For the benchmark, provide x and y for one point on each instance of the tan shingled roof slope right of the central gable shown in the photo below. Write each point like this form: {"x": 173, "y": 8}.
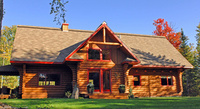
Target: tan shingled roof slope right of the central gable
{"x": 154, "y": 50}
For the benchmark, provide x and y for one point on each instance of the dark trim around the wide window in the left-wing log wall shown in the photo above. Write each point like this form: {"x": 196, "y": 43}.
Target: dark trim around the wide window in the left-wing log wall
{"x": 48, "y": 85}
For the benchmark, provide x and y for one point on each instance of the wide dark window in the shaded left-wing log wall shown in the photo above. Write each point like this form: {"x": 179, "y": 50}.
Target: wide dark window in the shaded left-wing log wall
{"x": 49, "y": 79}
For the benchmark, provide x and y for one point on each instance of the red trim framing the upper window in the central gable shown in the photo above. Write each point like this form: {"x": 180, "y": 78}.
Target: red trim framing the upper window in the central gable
{"x": 101, "y": 55}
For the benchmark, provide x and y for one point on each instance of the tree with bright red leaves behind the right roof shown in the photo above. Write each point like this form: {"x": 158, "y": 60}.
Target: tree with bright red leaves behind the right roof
{"x": 163, "y": 29}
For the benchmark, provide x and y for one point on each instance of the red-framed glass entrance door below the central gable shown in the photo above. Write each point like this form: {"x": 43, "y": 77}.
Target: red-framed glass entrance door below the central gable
{"x": 100, "y": 79}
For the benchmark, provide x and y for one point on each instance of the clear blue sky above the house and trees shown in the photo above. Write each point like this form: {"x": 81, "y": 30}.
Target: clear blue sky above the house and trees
{"x": 124, "y": 16}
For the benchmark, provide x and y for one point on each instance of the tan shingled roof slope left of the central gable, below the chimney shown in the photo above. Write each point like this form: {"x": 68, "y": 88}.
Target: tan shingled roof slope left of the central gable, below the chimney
{"x": 42, "y": 44}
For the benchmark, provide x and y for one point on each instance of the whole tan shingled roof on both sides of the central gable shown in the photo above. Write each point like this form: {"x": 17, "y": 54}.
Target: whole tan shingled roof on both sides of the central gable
{"x": 43, "y": 44}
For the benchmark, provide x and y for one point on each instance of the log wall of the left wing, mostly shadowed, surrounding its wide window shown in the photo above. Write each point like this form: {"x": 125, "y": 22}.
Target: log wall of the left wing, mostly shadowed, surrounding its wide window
{"x": 31, "y": 77}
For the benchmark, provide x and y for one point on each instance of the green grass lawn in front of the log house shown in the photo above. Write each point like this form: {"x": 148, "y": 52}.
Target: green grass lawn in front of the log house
{"x": 139, "y": 103}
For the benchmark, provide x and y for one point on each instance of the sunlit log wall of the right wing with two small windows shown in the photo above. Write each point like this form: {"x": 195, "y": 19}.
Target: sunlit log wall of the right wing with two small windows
{"x": 151, "y": 83}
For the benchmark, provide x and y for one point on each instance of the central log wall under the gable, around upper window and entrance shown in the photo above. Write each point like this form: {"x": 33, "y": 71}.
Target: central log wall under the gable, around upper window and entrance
{"x": 114, "y": 65}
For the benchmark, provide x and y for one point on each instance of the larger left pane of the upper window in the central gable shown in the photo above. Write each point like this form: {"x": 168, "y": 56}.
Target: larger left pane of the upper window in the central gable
{"x": 94, "y": 54}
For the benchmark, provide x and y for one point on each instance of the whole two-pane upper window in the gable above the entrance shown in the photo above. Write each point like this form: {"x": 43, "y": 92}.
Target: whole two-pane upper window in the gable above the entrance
{"x": 98, "y": 54}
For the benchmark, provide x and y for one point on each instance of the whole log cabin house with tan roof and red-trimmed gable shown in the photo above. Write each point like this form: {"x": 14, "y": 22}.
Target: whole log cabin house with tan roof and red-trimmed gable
{"x": 51, "y": 61}
